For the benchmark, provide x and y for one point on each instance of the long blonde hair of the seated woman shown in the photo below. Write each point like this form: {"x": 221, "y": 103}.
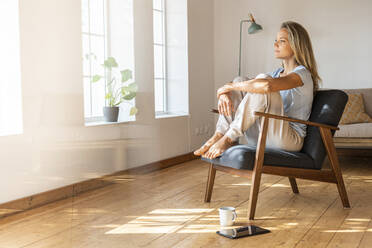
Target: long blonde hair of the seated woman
{"x": 300, "y": 43}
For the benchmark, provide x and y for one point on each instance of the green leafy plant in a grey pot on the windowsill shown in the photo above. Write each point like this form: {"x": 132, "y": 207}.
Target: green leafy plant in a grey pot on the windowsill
{"x": 117, "y": 89}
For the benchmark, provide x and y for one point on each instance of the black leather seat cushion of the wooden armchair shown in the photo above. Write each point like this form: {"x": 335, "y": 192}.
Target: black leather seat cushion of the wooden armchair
{"x": 243, "y": 157}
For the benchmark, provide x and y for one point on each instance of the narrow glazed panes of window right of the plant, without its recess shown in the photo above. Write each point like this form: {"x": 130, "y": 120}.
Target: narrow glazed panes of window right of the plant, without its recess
{"x": 160, "y": 78}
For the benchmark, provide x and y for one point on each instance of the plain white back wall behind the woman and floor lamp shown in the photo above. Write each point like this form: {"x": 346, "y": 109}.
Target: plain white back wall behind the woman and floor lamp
{"x": 340, "y": 32}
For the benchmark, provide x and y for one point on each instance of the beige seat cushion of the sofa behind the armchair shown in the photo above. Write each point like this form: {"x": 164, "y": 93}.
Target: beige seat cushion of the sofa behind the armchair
{"x": 358, "y": 130}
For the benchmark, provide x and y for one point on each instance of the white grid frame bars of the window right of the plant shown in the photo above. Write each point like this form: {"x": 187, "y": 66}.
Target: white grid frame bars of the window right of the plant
{"x": 164, "y": 77}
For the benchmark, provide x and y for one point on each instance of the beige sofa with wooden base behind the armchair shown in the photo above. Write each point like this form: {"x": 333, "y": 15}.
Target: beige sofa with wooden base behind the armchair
{"x": 357, "y": 135}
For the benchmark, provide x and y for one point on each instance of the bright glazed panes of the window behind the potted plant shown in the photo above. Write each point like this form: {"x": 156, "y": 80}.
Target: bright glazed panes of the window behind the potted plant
{"x": 94, "y": 36}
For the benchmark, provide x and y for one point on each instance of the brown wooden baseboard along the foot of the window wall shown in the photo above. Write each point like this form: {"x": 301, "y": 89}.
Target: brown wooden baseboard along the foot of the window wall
{"x": 37, "y": 200}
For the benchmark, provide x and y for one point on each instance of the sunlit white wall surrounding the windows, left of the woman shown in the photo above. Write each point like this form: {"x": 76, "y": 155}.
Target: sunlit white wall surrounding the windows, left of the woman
{"x": 56, "y": 149}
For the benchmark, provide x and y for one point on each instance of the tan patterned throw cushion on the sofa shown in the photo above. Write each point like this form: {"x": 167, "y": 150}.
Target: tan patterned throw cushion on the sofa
{"x": 354, "y": 110}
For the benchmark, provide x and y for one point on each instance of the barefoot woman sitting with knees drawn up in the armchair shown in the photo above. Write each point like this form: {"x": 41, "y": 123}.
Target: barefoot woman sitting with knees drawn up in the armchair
{"x": 286, "y": 91}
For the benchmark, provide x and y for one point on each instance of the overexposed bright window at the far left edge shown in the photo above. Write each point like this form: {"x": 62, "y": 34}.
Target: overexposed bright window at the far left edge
{"x": 10, "y": 69}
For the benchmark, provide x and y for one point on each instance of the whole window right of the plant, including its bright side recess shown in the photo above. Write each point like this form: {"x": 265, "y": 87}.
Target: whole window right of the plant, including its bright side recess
{"x": 170, "y": 58}
